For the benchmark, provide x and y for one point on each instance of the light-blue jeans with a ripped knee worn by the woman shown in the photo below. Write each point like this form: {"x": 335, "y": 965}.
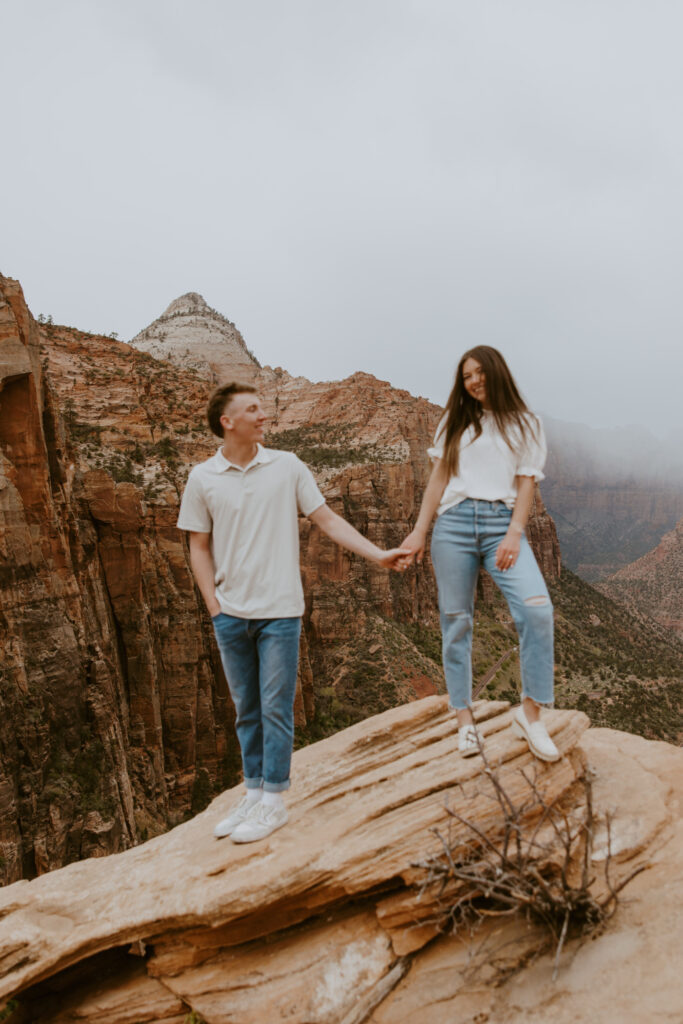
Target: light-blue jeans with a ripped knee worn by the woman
{"x": 465, "y": 537}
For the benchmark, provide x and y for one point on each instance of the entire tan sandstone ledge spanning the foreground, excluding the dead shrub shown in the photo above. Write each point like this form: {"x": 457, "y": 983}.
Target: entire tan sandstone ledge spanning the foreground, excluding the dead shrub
{"x": 317, "y": 924}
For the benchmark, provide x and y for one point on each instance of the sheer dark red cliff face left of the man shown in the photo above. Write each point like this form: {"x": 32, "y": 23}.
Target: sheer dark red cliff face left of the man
{"x": 114, "y": 708}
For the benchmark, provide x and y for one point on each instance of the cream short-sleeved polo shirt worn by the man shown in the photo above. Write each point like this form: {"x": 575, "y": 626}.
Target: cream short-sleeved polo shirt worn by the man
{"x": 251, "y": 515}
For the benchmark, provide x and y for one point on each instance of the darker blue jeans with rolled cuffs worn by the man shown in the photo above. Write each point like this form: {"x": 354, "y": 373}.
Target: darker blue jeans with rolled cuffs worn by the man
{"x": 261, "y": 659}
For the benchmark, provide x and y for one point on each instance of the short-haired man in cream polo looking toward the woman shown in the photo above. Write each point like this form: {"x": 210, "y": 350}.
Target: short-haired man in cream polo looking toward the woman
{"x": 241, "y": 509}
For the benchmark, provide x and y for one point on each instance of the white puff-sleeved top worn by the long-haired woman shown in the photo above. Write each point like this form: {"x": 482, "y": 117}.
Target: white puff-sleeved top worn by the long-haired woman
{"x": 488, "y": 467}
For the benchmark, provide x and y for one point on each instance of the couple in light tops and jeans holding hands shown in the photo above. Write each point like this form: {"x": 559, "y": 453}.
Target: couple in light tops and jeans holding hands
{"x": 241, "y": 509}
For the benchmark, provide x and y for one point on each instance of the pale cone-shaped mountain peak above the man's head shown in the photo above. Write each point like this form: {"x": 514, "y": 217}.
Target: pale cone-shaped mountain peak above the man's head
{"x": 190, "y": 333}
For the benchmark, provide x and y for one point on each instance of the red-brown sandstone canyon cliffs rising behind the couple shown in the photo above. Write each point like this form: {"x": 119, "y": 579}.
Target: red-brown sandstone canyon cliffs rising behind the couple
{"x": 116, "y": 718}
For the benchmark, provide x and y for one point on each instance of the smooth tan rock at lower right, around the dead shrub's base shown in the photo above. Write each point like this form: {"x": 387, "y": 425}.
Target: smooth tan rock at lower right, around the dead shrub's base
{"x": 627, "y": 972}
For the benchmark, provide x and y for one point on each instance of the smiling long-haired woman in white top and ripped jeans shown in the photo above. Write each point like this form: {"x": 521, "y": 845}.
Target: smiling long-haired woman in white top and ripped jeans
{"x": 489, "y": 452}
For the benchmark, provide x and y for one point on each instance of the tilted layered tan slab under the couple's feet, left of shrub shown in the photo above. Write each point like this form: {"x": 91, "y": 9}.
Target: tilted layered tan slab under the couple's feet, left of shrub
{"x": 362, "y": 808}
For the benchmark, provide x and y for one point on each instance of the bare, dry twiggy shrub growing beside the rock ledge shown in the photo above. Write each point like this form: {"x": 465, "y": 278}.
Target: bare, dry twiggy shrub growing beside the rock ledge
{"x": 538, "y": 864}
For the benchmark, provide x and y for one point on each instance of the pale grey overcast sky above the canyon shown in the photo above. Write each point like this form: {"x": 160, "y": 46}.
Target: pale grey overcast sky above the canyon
{"x": 363, "y": 185}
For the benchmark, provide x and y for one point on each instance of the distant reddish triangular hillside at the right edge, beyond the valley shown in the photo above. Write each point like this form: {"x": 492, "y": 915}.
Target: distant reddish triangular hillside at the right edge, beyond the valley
{"x": 653, "y": 584}
